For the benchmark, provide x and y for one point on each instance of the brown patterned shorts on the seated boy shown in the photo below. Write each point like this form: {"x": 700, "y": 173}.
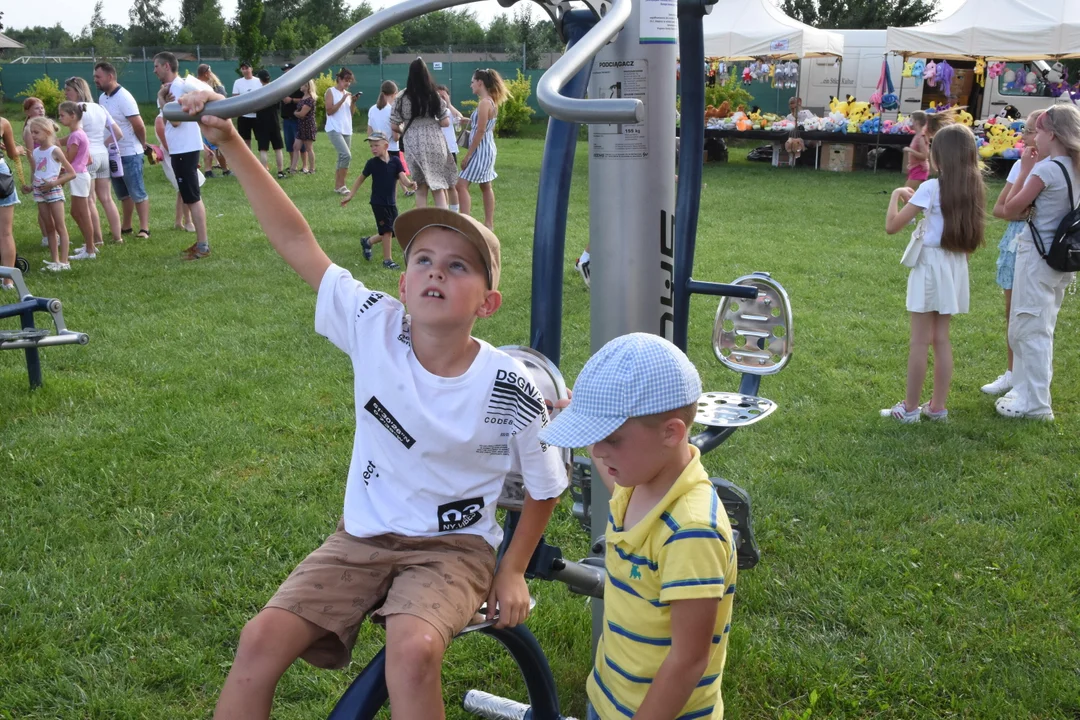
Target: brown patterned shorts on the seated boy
{"x": 442, "y": 580}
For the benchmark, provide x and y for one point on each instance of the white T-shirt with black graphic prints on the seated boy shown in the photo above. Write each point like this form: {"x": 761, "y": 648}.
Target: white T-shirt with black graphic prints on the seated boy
{"x": 430, "y": 454}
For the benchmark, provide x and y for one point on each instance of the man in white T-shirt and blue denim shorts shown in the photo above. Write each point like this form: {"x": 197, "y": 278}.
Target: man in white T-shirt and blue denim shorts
{"x": 132, "y": 146}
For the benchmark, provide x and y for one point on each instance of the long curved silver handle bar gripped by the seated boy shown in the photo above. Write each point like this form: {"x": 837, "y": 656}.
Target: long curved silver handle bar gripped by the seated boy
{"x": 234, "y": 107}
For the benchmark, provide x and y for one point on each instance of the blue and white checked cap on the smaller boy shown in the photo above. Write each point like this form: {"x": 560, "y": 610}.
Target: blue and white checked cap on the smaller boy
{"x": 632, "y": 376}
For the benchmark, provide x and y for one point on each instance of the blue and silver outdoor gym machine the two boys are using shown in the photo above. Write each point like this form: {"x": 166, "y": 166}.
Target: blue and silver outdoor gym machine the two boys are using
{"x": 643, "y": 259}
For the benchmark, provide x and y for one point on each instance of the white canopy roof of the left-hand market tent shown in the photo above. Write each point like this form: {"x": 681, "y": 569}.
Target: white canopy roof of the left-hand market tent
{"x": 749, "y": 30}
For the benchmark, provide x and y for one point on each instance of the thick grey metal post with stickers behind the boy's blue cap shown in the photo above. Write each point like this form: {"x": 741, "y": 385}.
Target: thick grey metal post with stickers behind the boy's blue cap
{"x": 632, "y": 197}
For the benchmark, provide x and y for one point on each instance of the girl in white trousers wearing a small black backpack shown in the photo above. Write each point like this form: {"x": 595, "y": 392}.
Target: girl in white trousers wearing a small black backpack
{"x": 1049, "y": 188}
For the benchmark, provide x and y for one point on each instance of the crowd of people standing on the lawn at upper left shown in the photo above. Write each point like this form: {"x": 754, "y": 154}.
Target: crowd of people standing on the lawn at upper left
{"x": 106, "y": 147}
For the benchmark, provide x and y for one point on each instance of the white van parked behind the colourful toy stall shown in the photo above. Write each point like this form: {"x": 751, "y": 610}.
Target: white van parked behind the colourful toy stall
{"x": 858, "y": 75}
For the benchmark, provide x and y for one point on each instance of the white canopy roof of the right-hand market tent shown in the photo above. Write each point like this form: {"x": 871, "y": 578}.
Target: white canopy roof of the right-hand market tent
{"x": 997, "y": 31}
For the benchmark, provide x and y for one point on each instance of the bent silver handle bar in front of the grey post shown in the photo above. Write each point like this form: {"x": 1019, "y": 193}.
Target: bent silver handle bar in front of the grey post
{"x": 559, "y": 106}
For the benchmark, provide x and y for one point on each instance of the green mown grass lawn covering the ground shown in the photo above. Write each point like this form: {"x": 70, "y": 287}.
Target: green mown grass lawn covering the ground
{"x": 171, "y": 473}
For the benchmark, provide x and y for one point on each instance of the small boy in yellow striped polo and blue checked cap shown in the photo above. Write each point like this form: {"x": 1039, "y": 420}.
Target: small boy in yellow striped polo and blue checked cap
{"x": 670, "y": 560}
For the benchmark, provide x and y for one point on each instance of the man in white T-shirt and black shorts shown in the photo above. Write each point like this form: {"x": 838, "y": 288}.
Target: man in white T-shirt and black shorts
{"x": 185, "y": 148}
